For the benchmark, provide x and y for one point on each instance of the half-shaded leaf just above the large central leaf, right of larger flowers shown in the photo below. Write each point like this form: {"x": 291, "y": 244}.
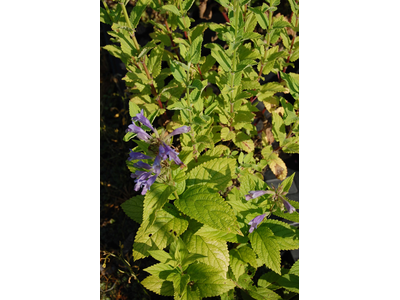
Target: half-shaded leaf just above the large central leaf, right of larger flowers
{"x": 216, "y": 174}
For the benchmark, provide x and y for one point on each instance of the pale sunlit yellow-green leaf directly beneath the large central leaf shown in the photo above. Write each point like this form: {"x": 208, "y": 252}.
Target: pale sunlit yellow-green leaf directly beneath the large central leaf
{"x": 215, "y": 251}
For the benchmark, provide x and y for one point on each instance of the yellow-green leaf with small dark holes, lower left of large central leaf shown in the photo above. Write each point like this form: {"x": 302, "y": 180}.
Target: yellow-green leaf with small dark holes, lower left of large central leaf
{"x": 166, "y": 227}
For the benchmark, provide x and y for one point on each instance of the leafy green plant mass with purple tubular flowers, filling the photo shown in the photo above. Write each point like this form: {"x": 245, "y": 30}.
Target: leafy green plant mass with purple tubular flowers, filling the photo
{"x": 202, "y": 145}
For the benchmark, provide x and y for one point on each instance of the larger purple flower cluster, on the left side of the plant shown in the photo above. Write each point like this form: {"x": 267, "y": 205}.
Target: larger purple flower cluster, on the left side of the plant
{"x": 162, "y": 151}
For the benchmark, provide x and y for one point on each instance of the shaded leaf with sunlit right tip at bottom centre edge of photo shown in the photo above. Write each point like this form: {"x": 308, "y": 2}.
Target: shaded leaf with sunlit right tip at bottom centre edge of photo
{"x": 208, "y": 280}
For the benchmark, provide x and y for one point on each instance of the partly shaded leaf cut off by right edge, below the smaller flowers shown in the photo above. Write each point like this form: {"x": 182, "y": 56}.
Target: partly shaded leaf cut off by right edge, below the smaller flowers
{"x": 286, "y": 237}
